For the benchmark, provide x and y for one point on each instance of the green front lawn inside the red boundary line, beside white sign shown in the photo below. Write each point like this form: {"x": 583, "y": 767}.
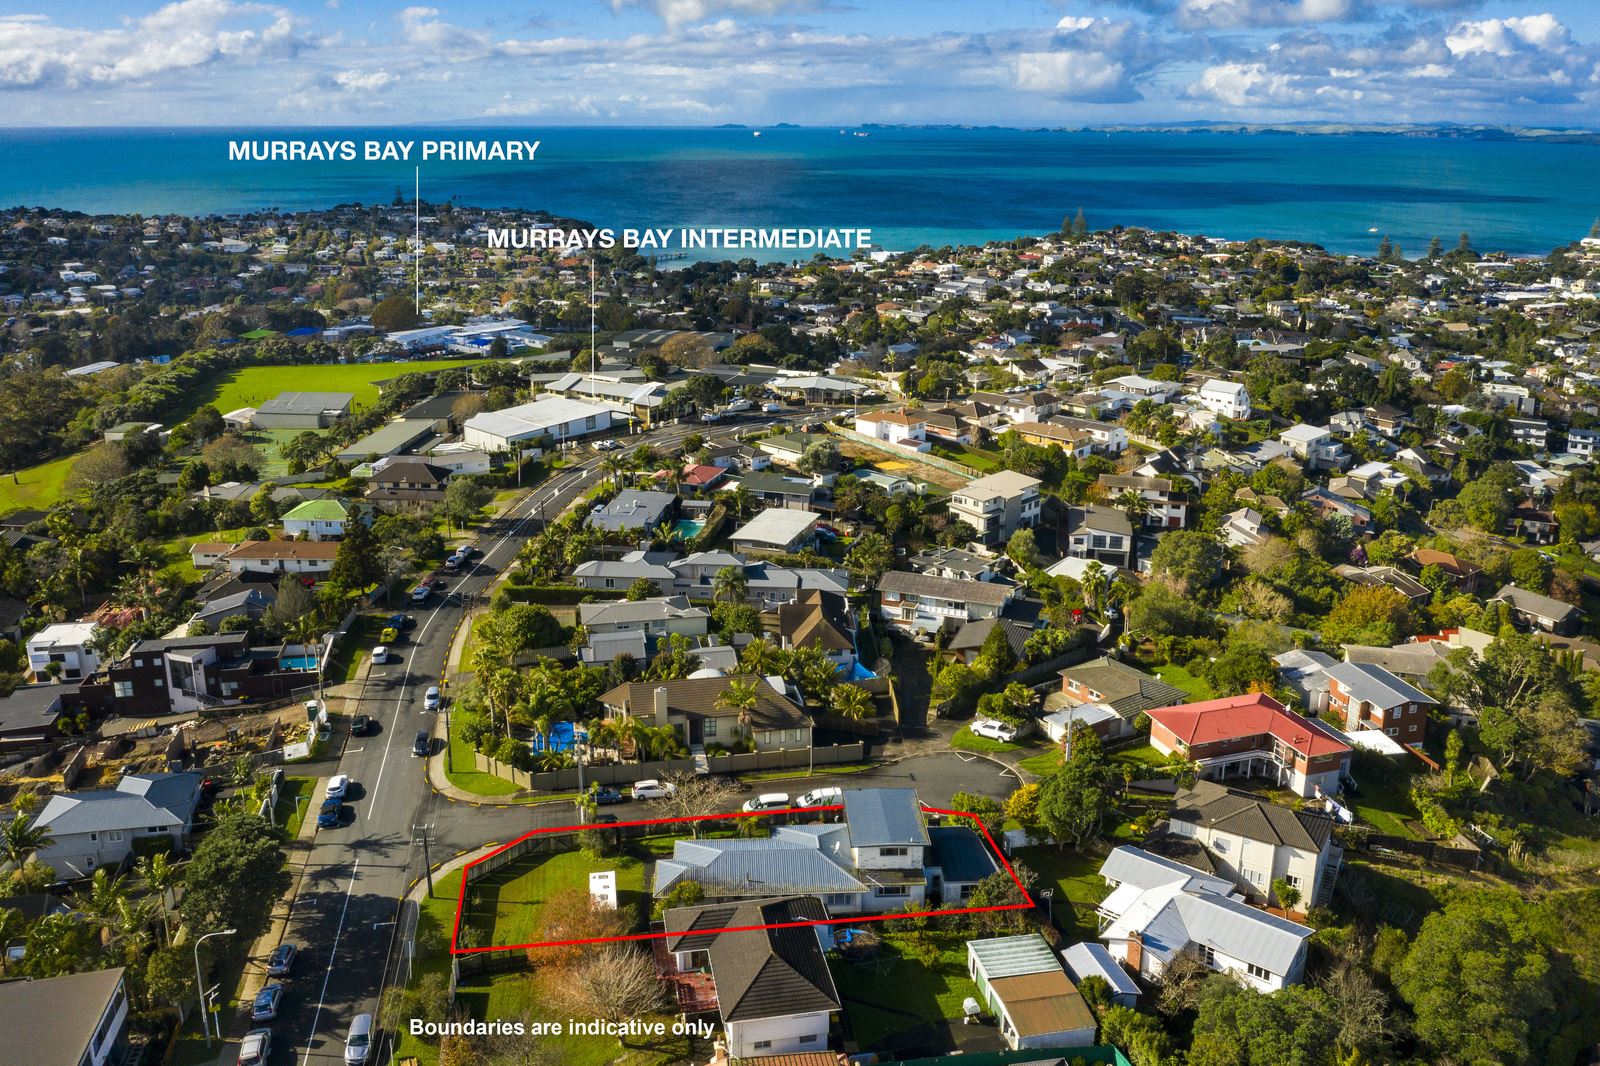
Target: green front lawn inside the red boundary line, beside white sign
{"x": 506, "y": 905}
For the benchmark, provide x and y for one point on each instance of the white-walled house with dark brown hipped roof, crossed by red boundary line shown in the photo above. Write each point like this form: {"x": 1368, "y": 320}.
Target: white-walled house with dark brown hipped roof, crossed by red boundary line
{"x": 767, "y": 961}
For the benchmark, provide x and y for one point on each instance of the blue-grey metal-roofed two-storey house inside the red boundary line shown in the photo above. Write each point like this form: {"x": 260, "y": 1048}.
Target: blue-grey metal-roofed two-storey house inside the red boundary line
{"x": 882, "y": 857}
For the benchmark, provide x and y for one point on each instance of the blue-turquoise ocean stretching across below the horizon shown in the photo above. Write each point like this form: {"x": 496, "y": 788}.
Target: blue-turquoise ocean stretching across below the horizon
{"x": 910, "y": 186}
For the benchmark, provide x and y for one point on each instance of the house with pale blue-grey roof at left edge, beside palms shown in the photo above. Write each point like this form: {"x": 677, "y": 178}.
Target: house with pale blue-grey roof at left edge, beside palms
{"x": 102, "y": 828}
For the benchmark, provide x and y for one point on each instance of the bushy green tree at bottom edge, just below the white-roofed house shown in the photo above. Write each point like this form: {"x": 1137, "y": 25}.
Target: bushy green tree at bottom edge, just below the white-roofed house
{"x": 1239, "y": 1027}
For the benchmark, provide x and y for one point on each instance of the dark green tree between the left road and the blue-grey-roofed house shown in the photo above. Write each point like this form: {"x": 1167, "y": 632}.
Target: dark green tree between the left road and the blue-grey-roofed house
{"x": 236, "y": 876}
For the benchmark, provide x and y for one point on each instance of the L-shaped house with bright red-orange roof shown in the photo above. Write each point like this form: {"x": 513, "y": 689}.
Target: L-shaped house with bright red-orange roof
{"x": 1254, "y": 735}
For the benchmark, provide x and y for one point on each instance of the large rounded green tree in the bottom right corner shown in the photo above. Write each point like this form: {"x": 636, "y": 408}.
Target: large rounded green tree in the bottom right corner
{"x": 1482, "y": 982}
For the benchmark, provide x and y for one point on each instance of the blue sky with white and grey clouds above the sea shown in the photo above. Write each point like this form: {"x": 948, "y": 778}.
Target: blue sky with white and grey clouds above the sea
{"x": 1020, "y": 63}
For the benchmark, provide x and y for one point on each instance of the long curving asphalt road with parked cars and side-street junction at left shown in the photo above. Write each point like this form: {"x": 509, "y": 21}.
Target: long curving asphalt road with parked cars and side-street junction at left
{"x": 346, "y": 915}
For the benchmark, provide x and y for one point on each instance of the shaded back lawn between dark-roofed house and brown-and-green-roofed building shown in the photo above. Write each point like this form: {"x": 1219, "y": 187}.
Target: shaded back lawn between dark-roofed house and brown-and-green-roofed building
{"x": 895, "y": 992}
